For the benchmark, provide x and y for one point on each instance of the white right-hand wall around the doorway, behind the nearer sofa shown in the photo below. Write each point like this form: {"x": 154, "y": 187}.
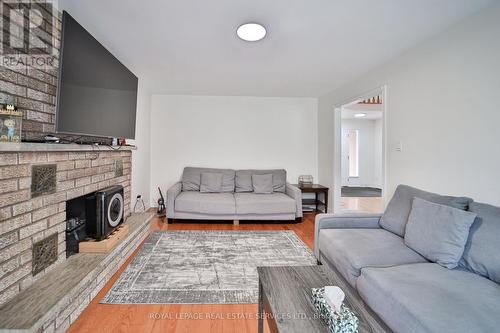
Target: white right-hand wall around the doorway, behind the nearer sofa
{"x": 442, "y": 105}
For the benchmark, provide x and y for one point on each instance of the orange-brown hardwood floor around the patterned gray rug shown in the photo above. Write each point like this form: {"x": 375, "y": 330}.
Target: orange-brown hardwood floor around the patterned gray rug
{"x": 192, "y": 318}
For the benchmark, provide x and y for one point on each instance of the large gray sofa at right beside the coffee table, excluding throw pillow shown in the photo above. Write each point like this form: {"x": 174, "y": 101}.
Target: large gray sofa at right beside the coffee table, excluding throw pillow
{"x": 407, "y": 291}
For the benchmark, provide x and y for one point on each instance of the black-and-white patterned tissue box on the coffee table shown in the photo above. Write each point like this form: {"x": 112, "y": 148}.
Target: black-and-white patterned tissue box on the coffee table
{"x": 343, "y": 322}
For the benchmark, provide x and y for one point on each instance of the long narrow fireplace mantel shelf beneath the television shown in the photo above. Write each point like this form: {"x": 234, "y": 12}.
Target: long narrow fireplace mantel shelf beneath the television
{"x": 49, "y": 147}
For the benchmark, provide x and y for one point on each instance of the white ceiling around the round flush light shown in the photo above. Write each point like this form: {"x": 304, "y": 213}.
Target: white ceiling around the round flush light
{"x": 312, "y": 47}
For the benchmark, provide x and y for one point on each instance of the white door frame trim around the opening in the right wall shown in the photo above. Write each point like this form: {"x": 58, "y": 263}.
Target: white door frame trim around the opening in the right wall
{"x": 337, "y": 145}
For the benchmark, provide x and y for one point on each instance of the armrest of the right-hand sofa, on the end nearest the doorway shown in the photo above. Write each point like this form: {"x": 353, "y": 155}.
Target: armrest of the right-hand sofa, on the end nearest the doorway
{"x": 343, "y": 221}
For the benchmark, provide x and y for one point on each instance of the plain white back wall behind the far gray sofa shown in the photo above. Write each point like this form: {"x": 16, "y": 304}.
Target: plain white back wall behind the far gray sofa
{"x": 232, "y": 132}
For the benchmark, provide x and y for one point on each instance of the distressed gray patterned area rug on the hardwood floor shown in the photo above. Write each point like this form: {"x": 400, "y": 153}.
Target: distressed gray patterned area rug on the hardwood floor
{"x": 205, "y": 267}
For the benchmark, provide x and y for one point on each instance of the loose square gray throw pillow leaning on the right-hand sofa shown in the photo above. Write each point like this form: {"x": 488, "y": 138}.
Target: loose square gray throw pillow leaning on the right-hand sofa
{"x": 438, "y": 232}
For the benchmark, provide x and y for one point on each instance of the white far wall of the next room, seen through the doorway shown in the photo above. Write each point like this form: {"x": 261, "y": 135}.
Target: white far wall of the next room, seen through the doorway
{"x": 370, "y": 165}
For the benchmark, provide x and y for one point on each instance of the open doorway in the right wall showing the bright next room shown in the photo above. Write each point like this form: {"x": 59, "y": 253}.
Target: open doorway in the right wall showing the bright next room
{"x": 360, "y": 154}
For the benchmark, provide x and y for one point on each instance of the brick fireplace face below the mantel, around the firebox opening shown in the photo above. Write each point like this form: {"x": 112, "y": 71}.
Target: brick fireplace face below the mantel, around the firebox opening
{"x": 25, "y": 219}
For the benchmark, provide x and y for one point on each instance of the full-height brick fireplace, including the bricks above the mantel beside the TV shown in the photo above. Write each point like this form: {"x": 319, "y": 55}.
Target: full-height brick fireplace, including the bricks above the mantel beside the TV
{"x": 36, "y": 180}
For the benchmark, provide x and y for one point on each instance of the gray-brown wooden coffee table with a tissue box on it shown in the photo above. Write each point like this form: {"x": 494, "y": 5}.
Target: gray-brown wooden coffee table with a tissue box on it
{"x": 285, "y": 300}
